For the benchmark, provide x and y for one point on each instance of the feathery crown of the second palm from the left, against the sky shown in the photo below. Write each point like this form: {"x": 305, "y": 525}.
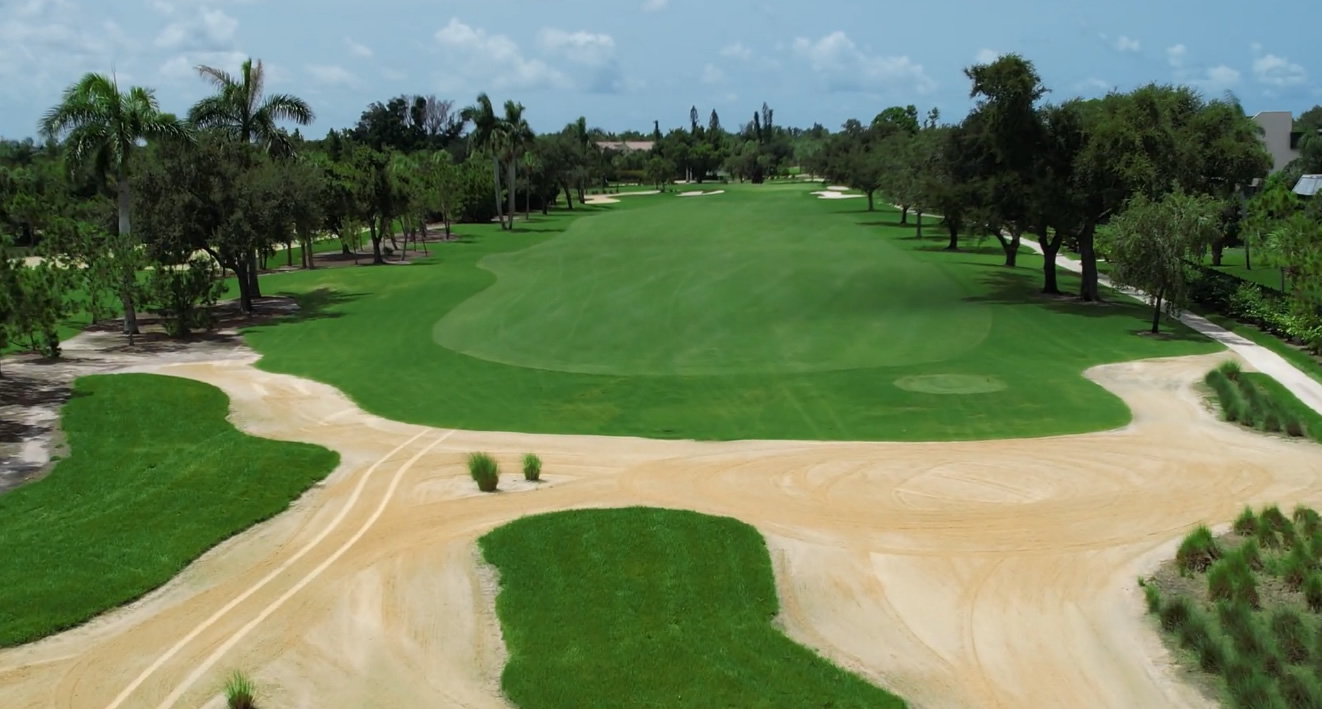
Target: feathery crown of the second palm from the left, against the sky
{"x": 241, "y": 108}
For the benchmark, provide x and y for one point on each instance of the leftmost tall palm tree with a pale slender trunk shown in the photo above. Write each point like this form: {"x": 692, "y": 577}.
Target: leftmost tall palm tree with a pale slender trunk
{"x": 101, "y": 126}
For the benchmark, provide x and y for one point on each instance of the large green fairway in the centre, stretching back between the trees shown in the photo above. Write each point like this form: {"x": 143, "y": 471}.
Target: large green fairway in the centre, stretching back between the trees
{"x": 762, "y": 313}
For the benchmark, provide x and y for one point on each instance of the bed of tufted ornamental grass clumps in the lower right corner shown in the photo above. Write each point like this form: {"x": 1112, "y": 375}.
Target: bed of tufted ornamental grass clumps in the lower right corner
{"x": 1242, "y": 612}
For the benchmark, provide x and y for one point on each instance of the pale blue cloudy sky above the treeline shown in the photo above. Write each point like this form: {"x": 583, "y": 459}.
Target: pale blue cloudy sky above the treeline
{"x": 626, "y": 63}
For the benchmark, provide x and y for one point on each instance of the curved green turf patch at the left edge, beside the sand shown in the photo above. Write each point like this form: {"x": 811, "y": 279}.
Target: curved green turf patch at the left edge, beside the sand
{"x": 157, "y": 477}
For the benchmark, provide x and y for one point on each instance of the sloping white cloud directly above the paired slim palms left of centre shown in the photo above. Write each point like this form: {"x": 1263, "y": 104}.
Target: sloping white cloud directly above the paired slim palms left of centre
{"x": 475, "y": 59}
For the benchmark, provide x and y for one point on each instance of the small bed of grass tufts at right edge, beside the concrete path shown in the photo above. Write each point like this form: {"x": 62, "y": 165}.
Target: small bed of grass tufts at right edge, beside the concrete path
{"x": 1262, "y": 403}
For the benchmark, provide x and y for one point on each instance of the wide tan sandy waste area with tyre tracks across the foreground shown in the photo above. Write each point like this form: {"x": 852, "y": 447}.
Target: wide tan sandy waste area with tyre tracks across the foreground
{"x": 959, "y": 575}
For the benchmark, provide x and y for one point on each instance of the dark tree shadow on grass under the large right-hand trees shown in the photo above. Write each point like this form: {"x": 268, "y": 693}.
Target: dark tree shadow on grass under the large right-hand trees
{"x": 1023, "y": 288}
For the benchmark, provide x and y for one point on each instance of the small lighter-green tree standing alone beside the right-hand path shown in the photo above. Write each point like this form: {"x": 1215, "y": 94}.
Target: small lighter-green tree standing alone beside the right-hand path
{"x": 1152, "y": 243}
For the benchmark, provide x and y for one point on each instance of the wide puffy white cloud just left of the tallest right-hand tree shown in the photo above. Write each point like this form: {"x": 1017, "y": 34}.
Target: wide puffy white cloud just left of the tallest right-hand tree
{"x": 847, "y": 68}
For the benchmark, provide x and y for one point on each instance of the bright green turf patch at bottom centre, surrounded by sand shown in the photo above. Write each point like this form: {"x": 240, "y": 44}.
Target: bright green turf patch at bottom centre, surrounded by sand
{"x": 651, "y": 608}
